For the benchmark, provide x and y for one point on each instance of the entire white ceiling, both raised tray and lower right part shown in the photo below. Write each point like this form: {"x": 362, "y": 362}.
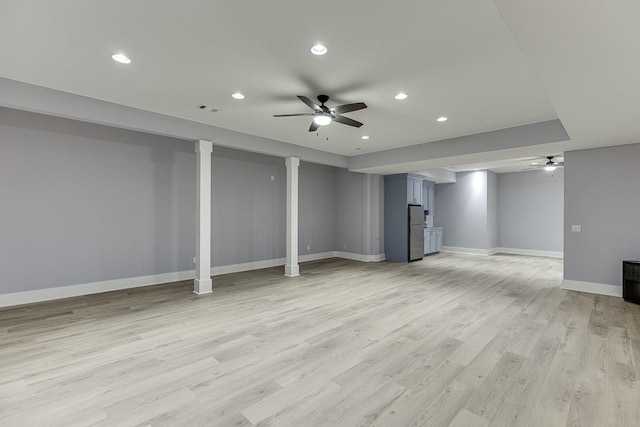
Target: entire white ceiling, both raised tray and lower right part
{"x": 485, "y": 64}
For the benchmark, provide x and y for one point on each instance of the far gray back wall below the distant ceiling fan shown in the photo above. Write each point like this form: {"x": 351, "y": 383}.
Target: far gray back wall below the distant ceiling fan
{"x": 530, "y": 210}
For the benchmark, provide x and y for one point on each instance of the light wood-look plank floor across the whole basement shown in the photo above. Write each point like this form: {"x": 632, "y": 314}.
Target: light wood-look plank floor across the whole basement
{"x": 453, "y": 340}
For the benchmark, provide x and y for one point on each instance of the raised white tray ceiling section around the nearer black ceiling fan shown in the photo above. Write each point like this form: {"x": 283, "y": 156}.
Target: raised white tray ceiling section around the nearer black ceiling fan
{"x": 454, "y": 58}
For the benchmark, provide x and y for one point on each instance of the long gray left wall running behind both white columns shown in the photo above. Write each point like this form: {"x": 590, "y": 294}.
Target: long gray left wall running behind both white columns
{"x": 87, "y": 203}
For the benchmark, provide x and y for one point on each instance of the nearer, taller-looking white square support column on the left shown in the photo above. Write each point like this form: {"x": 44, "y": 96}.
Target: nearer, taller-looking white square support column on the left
{"x": 202, "y": 284}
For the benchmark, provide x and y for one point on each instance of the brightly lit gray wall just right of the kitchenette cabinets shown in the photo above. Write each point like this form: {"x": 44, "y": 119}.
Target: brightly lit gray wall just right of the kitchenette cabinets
{"x": 461, "y": 208}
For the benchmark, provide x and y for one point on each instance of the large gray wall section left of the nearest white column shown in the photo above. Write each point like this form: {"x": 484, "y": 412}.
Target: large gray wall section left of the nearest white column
{"x": 85, "y": 203}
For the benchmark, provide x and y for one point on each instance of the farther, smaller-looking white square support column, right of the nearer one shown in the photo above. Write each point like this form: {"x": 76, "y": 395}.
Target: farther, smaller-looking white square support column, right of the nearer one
{"x": 291, "y": 268}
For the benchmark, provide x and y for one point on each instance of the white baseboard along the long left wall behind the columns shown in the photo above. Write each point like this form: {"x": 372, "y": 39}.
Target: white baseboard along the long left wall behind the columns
{"x": 39, "y": 295}
